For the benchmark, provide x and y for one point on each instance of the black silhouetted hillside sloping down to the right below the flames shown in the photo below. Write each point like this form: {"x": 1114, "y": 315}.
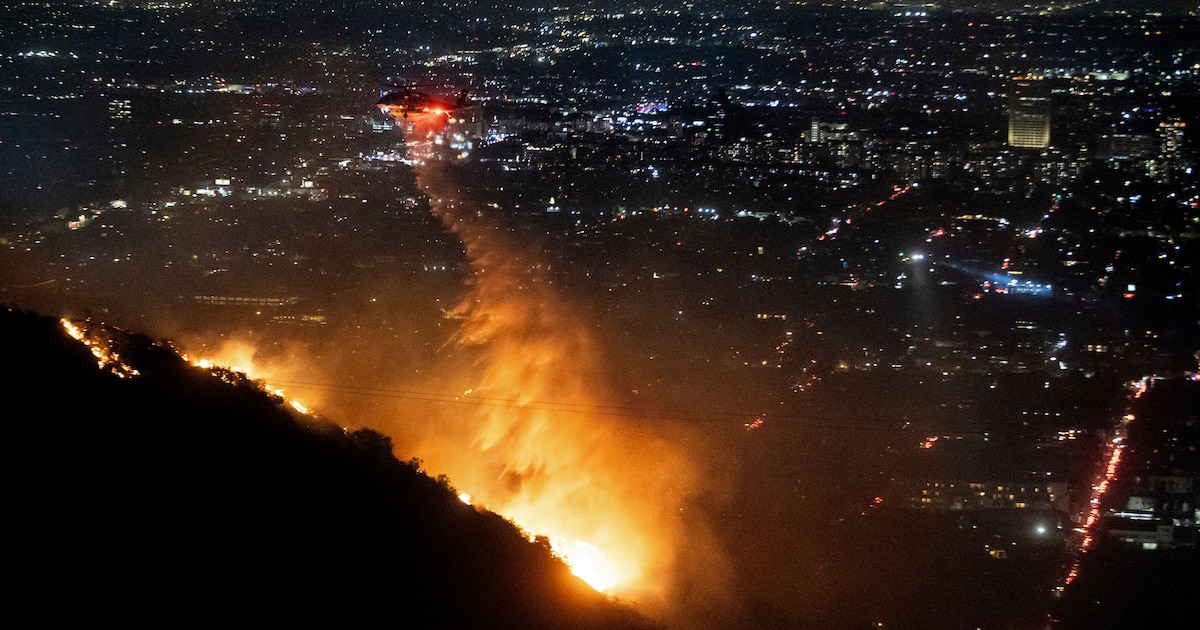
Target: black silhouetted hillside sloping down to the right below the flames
{"x": 178, "y": 497}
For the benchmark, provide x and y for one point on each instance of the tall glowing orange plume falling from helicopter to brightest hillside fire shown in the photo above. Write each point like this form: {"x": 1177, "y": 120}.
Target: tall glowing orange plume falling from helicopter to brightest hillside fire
{"x": 608, "y": 493}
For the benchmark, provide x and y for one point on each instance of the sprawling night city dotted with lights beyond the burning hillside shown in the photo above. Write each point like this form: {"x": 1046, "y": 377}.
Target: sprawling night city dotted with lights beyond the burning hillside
{"x": 898, "y": 280}
